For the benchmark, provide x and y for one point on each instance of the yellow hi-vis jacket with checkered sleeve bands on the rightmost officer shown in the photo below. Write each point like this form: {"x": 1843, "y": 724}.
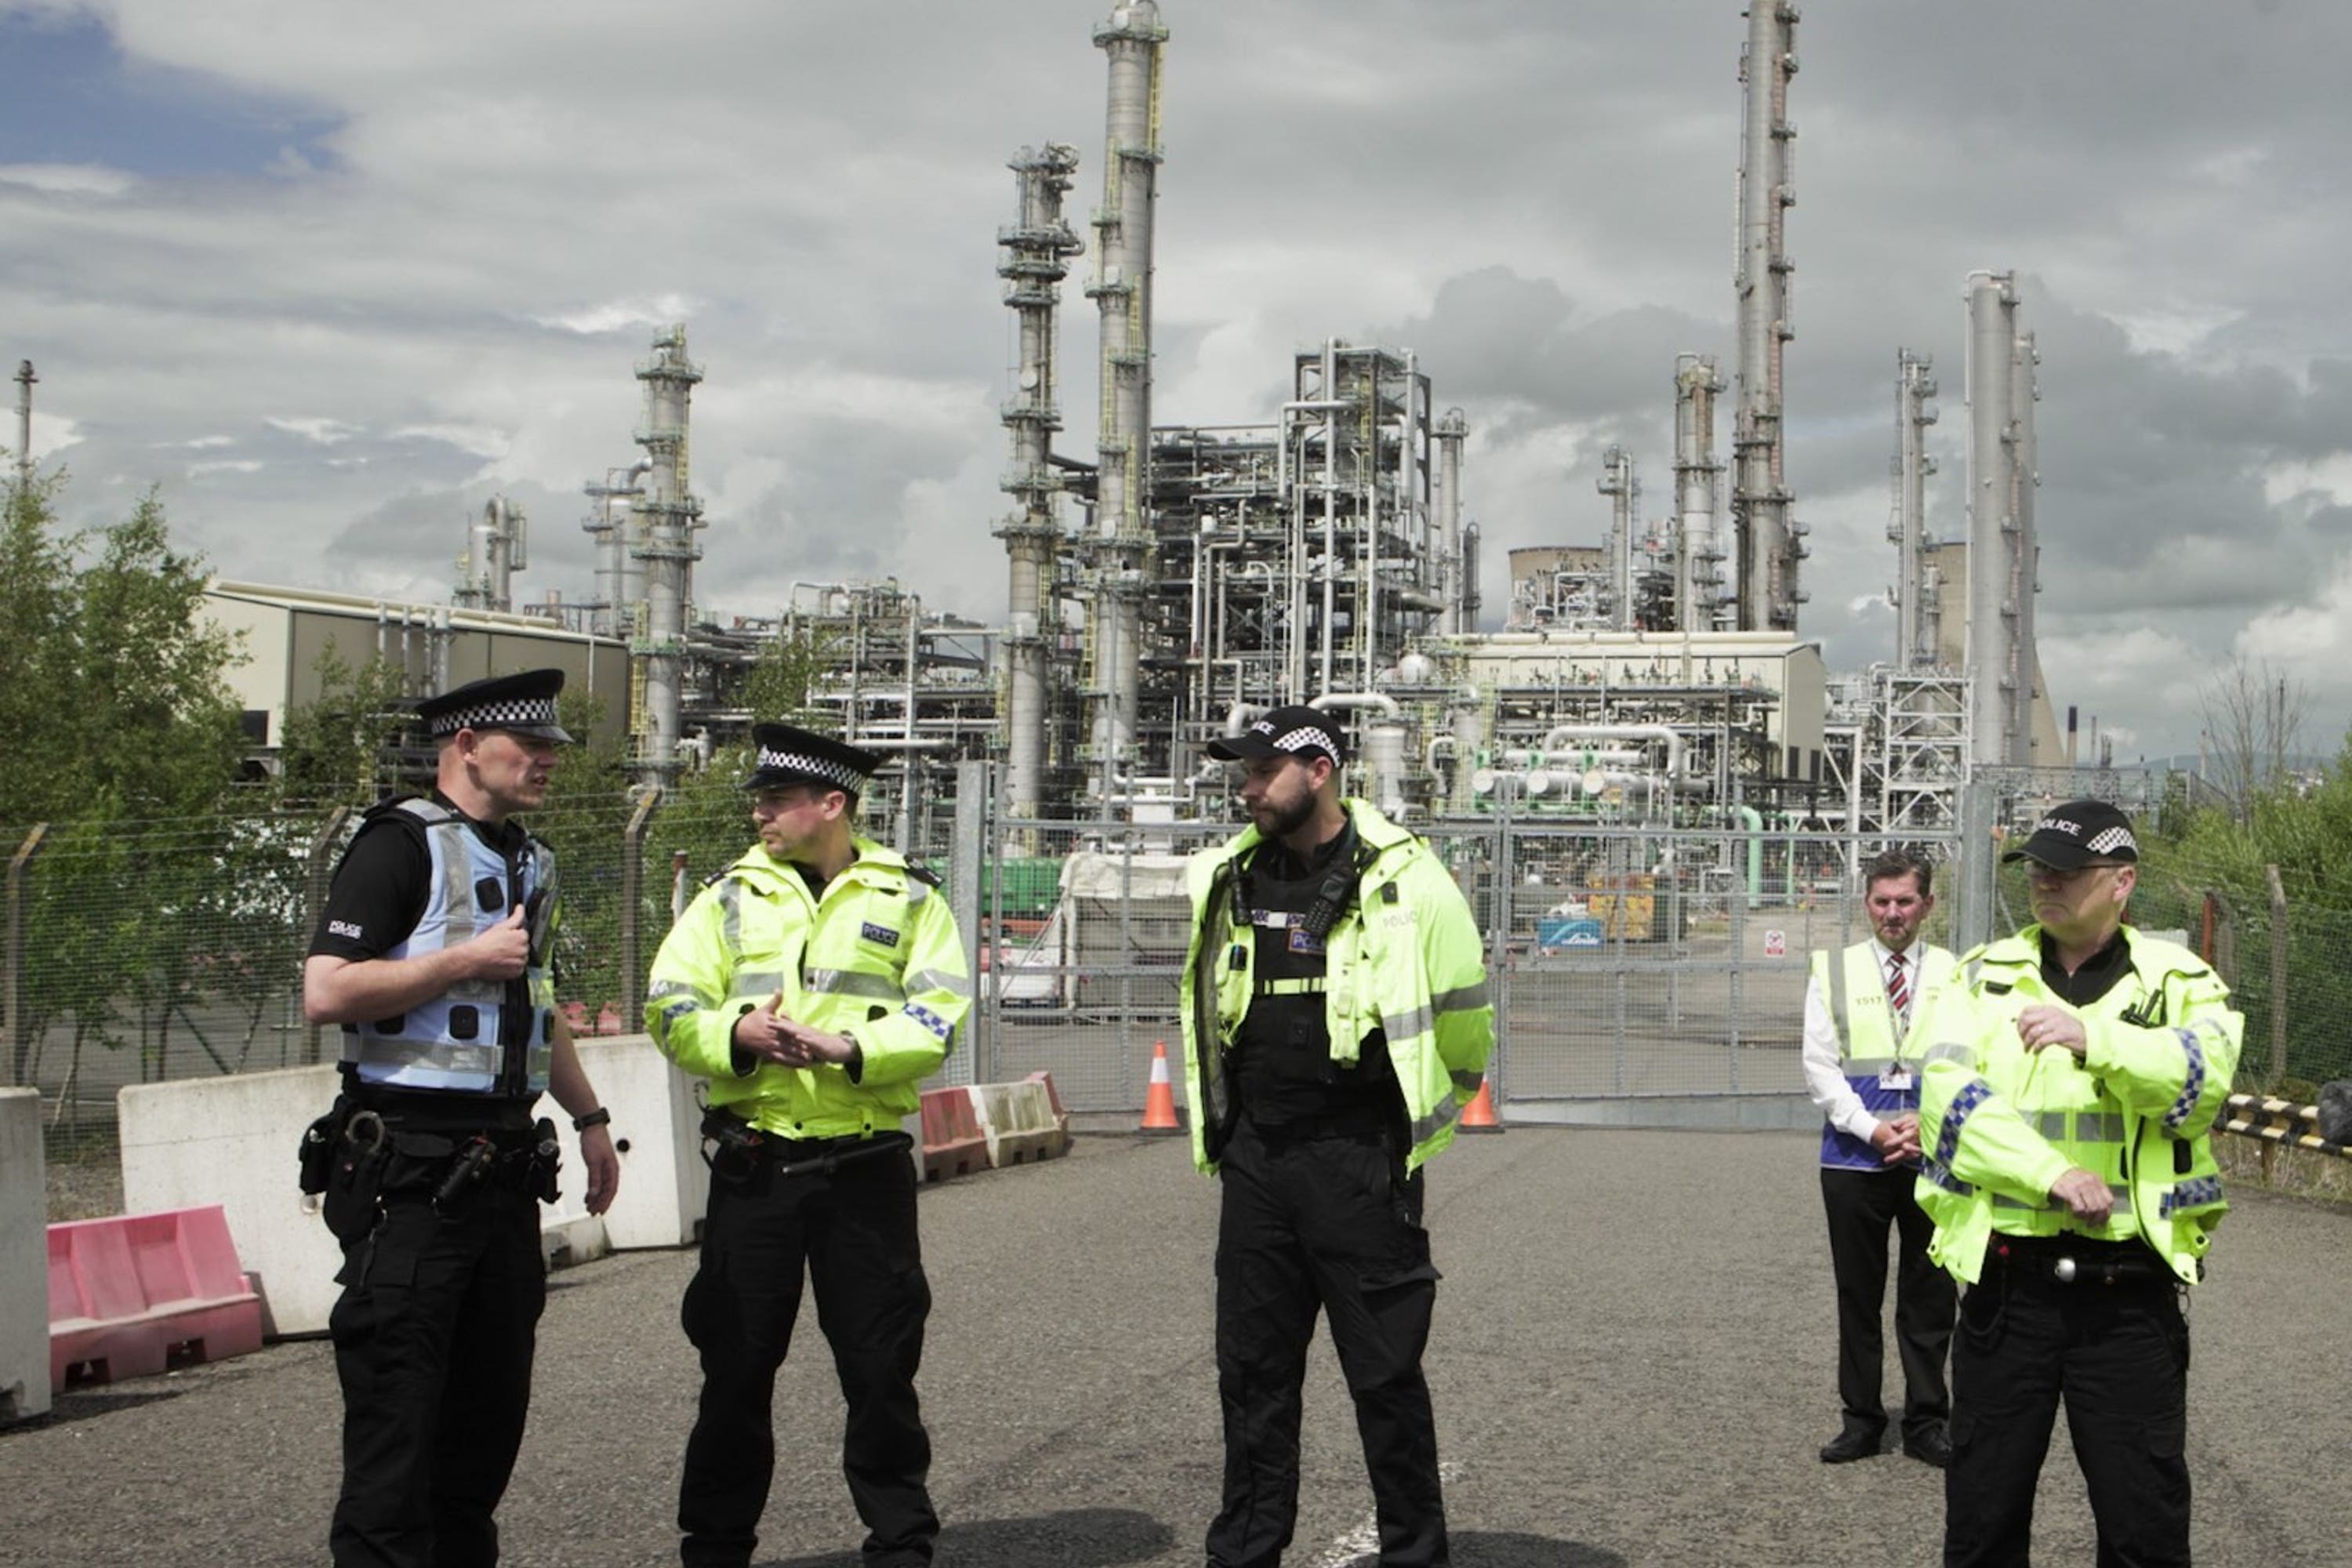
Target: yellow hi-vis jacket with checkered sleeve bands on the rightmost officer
{"x": 1998, "y": 1123}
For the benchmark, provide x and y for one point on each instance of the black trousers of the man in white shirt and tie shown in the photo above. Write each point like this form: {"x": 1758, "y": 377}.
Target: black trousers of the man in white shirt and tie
{"x": 1862, "y": 1207}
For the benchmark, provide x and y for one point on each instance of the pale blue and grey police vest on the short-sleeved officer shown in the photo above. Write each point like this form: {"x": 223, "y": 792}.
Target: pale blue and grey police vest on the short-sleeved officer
{"x": 462, "y": 1040}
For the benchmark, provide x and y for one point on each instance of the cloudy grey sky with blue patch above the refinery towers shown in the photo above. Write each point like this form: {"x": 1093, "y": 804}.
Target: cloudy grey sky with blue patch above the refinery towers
{"x": 333, "y": 276}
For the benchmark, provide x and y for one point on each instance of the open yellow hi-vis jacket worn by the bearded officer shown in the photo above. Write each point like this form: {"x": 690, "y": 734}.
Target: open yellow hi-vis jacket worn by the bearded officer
{"x": 1405, "y": 958}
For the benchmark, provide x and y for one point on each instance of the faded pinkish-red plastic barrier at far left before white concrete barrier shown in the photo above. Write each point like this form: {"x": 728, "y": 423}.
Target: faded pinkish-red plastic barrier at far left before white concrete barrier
{"x": 138, "y": 1294}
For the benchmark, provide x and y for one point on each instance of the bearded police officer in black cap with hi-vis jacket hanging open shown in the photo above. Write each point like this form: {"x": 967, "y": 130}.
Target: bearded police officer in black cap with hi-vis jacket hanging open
{"x": 1337, "y": 1007}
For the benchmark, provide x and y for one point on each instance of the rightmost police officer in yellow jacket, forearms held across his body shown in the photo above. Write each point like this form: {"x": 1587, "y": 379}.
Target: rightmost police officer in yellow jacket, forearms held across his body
{"x": 2073, "y": 1076}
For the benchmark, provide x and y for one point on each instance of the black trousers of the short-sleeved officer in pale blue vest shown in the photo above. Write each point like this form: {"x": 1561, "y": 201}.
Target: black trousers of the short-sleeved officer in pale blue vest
{"x": 434, "y": 1346}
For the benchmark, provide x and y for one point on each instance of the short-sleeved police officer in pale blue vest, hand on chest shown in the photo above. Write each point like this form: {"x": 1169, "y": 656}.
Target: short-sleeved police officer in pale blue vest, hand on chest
{"x": 434, "y": 956}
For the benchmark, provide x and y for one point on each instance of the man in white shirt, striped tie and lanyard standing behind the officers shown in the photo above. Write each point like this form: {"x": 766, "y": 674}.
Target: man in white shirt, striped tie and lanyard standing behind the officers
{"x": 1857, "y": 1019}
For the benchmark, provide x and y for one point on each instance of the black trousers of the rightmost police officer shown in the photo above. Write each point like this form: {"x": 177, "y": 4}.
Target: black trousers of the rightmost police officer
{"x": 2118, "y": 1358}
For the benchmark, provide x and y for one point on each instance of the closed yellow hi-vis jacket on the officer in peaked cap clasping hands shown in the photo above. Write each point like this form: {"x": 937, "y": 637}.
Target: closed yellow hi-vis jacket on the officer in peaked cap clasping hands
{"x": 876, "y": 958}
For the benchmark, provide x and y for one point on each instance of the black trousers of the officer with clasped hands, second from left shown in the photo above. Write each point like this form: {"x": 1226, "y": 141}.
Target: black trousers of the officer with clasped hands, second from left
{"x": 853, "y": 1233}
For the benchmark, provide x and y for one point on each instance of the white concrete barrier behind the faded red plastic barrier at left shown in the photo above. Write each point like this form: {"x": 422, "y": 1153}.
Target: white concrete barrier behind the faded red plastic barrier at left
{"x": 232, "y": 1144}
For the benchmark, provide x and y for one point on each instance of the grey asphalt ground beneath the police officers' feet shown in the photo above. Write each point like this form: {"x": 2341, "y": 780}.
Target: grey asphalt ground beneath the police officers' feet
{"x": 1633, "y": 1365}
